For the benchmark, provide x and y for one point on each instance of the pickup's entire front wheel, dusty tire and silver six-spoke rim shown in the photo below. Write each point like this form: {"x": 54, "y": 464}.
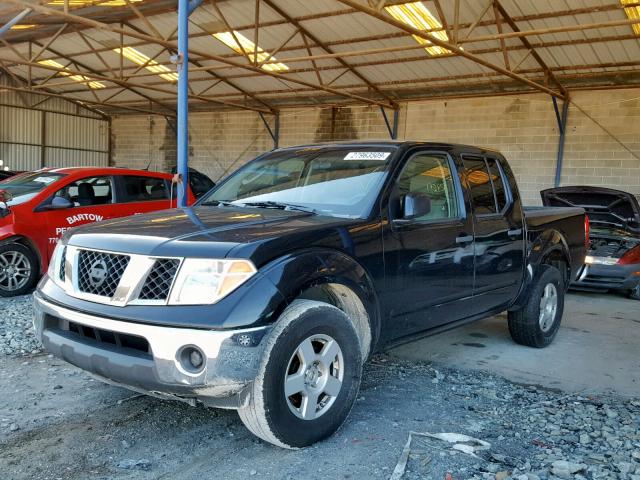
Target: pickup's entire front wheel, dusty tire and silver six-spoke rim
{"x": 308, "y": 379}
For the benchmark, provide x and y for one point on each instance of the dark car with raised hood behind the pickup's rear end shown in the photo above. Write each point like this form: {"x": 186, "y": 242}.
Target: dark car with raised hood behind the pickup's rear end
{"x": 613, "y": 257}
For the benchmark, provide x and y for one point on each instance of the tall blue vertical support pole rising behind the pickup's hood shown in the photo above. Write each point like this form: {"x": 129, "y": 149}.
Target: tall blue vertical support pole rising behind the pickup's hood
{"x": 183, "y": 101}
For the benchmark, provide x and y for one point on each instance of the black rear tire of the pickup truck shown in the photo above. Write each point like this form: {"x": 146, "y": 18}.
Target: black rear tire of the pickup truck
{"x": 526, "y": 325}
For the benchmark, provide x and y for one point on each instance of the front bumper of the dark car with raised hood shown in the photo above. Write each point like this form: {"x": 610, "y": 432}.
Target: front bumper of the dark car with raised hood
{"x": 608, "y": 277}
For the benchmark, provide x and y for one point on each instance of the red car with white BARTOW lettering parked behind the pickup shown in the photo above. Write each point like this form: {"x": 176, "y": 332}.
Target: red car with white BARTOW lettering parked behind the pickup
{"x": 36, "y": 208}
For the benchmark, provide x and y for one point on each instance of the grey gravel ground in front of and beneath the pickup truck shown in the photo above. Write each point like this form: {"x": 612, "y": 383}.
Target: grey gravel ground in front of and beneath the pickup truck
{"x": 57, "y": 422}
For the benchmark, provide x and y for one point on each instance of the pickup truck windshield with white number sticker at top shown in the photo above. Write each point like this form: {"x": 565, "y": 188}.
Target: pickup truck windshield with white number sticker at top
{"x": 340, "y": 182}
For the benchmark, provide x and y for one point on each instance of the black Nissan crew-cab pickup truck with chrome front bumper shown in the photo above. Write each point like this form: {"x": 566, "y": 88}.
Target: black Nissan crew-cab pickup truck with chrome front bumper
{"x": 270, "y": 293}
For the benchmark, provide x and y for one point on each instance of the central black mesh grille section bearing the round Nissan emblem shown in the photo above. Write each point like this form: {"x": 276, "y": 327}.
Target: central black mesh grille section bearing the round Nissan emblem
{"x": 99, "y": 273}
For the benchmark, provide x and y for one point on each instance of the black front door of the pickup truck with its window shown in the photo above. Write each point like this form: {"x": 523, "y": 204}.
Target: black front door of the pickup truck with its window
{"x": 428, "y": 260}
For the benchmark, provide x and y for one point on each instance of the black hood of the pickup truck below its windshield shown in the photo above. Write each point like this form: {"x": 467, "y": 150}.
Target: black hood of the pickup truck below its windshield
{"x": 203, "y": 231}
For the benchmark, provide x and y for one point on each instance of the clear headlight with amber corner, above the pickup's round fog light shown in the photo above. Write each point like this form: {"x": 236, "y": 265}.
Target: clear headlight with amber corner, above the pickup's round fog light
{"x": 201, "y": 281}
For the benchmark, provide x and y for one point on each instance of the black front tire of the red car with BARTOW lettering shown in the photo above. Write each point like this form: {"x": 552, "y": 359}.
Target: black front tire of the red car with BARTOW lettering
{"x": 18, "y": 285}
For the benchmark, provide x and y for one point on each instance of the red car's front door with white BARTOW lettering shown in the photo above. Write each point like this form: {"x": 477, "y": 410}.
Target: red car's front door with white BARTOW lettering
{"x": 90, "y": 199}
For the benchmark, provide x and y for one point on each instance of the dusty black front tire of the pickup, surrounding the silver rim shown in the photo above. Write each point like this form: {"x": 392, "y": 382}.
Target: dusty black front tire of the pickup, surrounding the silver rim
{"x": 269, "y": 414}
